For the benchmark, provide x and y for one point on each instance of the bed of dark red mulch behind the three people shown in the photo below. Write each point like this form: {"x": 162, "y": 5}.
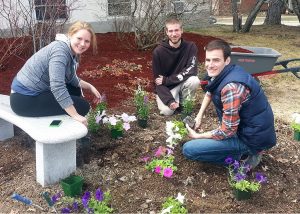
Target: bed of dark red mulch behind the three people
{"x": 113, "y": 71}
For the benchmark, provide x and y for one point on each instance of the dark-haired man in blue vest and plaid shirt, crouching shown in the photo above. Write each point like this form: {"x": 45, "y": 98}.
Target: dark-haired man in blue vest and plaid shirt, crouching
{"x": 246, "y": 118}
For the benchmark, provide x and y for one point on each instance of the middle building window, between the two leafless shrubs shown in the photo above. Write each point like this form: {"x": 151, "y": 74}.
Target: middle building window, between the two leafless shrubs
{"x": 119, "y": 7}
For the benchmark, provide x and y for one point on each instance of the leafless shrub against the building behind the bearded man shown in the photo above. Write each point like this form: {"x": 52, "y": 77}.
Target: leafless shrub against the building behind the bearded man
{"x": 146, "y": 18}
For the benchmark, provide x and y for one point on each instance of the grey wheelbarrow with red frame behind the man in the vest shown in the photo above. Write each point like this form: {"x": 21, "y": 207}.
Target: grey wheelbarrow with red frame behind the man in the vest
{"x": 259, "y": 61}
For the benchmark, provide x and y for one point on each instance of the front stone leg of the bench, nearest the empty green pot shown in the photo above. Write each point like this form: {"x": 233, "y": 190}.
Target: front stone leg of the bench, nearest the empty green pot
{"x": 54, "y": 161}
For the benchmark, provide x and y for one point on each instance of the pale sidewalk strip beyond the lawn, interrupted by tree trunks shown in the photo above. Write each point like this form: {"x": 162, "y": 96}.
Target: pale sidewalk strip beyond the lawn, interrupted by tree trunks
{"x": 285, "y": 20}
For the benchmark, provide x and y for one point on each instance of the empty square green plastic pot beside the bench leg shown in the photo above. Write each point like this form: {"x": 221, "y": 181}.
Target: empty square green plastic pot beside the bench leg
{"x": 72, "y": 185}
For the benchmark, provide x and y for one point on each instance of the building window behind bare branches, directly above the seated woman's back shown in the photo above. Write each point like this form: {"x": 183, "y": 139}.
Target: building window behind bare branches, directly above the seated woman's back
{"x": 50, "y": 9}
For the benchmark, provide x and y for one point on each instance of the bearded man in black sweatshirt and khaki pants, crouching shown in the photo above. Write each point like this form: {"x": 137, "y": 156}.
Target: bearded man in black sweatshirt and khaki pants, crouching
{"x": 174, "y": 67}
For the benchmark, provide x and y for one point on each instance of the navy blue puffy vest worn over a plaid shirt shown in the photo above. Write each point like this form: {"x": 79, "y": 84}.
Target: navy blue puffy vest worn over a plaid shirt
{"x": 256, "y": 128}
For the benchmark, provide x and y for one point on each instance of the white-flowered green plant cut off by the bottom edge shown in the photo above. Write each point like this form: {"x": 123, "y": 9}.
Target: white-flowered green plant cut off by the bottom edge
{"x": 174, "y": 205}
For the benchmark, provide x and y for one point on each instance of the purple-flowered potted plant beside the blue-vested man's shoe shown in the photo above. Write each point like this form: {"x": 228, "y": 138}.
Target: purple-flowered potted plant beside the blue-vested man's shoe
{"x": 238, "y": 176}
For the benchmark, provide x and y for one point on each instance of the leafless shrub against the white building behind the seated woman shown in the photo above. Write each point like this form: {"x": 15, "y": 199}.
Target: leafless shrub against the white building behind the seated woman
{"x": 38, "y": 19}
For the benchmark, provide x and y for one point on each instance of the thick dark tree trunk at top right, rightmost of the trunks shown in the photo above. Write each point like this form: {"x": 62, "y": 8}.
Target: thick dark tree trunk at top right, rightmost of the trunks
{"x": 274, "y": 12}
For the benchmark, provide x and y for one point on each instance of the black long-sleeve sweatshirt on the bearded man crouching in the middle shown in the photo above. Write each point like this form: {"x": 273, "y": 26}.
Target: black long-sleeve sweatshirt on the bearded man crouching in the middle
{"x": 175, "y": 64}
